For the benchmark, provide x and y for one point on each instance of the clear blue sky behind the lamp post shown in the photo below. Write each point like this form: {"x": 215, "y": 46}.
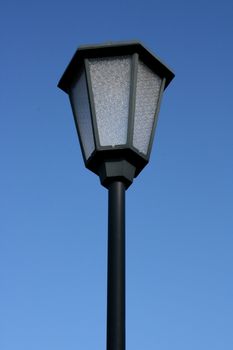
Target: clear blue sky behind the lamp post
{"x": 53, "y": 211}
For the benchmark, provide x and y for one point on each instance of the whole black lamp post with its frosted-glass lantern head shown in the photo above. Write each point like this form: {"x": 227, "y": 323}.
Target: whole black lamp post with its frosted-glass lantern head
{"x": 115, "y": 92}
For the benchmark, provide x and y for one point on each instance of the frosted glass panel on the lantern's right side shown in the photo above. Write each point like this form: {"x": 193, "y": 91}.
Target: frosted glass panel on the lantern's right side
{"x": 147, "y": 95}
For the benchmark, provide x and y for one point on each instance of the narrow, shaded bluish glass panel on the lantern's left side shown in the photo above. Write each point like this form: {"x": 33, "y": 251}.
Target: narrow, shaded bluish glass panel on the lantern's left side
{"x": 80, "y": 103}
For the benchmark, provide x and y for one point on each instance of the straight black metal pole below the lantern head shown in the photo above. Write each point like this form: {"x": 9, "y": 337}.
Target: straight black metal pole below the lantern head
{"x": 116, "y": 267}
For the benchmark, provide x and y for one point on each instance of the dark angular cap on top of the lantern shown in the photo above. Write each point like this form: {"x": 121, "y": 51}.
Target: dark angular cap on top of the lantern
{"x": 113, "y": 49}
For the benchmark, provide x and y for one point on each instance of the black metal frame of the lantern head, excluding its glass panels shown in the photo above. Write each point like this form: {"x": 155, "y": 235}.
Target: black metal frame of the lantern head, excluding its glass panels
{"x": 121, "y": 162}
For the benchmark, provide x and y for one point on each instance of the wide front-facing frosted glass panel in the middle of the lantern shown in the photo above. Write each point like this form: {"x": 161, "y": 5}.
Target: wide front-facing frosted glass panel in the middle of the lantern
{"x": 110, "y": 79}
